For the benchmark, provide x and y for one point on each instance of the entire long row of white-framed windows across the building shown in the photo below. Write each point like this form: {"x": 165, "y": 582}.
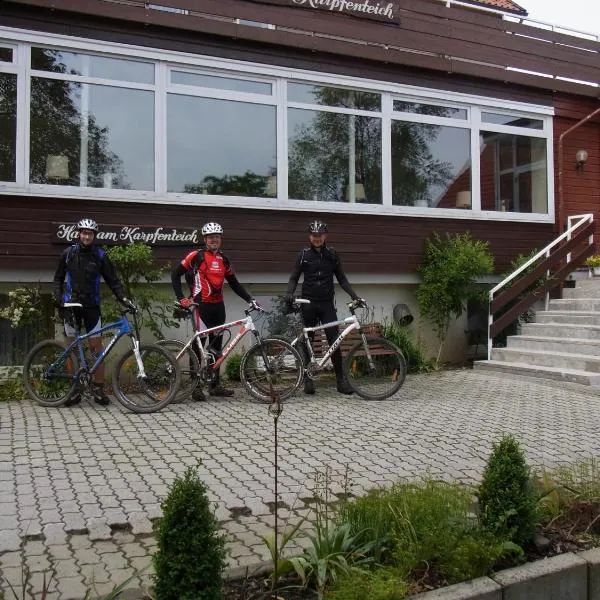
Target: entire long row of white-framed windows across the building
{"x": 108, "y": 120}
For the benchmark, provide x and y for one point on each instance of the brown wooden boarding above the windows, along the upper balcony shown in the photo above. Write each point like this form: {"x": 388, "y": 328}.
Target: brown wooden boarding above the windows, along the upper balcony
{"x": 431, "y": 36}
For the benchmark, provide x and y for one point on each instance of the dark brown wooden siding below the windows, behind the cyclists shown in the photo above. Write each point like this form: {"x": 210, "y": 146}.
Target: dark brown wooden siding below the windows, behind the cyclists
{"x": 257, "y": 240}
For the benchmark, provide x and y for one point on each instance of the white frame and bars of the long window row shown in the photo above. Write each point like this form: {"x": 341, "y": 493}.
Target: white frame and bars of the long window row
{"x": 165, "y": 59}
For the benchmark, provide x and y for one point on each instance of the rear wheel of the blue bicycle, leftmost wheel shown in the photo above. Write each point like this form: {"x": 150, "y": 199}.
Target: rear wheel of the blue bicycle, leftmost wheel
{"x": 49, "y": 373}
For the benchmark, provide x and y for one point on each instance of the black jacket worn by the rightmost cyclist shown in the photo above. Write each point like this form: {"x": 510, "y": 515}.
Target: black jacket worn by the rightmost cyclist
{"x": 319, "y": 266}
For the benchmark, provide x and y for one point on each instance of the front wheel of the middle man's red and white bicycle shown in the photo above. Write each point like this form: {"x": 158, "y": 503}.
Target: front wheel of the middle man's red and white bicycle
{"x": 270, "y": 369}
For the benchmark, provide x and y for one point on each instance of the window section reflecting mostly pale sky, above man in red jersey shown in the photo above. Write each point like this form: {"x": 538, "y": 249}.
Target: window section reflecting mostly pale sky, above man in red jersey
{"x": 221, "y": 141}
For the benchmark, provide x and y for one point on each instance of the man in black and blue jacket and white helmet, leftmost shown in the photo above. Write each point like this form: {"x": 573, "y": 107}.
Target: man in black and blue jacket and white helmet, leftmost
{"x": 77, "y": 279}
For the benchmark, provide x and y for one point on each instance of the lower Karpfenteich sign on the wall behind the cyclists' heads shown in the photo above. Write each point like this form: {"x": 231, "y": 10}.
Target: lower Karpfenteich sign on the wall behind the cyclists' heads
{"x": 66, "y": 233}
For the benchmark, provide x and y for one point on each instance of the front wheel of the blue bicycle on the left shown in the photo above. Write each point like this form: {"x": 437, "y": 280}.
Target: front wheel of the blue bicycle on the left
{"x": 154, "y": 390}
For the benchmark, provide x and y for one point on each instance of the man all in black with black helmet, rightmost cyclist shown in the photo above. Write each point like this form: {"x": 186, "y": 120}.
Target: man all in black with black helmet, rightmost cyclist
{"x": 319, "y": 264}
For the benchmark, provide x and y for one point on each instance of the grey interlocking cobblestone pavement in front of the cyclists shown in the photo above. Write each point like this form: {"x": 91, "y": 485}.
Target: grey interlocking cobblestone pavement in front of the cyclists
{"x": 80, "y": 486}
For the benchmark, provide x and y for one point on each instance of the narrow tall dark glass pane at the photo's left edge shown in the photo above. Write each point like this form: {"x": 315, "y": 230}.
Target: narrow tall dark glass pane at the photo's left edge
{"x": 8, "y": 126}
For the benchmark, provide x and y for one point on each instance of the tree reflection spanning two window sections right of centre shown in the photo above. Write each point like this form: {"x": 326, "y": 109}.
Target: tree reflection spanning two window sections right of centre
{"x": 320, "y": 151}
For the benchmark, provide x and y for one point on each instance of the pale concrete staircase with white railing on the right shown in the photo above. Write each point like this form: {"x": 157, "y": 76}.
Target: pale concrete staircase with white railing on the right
{"x": 562, "y": 344}
